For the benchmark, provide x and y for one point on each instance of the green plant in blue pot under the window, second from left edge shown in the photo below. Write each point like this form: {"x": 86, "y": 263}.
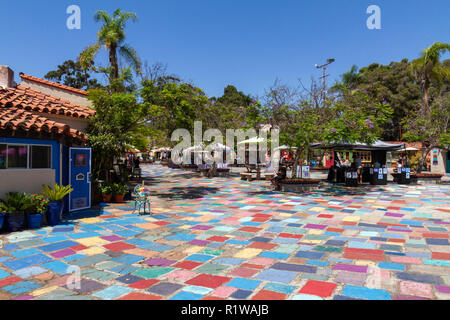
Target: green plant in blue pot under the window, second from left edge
{"x": 17, "y": 203}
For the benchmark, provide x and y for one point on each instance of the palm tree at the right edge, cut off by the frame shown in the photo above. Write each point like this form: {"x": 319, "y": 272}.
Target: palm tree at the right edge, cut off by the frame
{"x": 428, "y": 69}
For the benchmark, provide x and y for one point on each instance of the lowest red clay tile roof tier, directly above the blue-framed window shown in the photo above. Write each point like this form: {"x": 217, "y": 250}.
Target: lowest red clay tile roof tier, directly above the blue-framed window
{"x": 15, "y": 119}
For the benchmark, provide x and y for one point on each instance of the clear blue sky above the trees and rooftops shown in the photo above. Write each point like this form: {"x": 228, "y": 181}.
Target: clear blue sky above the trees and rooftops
{"x": 213, "y": 43}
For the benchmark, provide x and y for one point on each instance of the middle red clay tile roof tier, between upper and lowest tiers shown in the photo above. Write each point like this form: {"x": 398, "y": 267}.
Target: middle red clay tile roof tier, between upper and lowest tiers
{"x": 28, "y": 99}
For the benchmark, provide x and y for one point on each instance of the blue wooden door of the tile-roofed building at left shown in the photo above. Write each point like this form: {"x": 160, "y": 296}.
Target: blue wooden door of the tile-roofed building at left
{"x": 80, "y": 179}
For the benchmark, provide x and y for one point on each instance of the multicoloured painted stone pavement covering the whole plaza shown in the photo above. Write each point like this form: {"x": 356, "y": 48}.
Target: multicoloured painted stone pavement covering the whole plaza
{"x": 223, "y": 238}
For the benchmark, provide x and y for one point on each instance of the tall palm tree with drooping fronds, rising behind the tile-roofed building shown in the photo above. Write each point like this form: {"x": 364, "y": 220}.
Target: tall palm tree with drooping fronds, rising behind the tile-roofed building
{"x": 112, "y": 36}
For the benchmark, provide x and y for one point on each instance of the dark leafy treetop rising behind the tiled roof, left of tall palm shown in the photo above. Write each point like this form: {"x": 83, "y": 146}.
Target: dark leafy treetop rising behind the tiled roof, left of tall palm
{"x": 71, "y": 74}
